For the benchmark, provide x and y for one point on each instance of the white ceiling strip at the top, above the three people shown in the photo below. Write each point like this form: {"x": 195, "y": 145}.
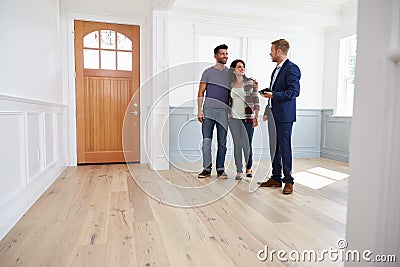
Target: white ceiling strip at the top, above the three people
{"x": 322, "y": 13}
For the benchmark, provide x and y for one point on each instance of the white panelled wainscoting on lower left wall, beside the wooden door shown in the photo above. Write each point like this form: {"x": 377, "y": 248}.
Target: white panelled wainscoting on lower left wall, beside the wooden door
{"x": 30, "y": 155}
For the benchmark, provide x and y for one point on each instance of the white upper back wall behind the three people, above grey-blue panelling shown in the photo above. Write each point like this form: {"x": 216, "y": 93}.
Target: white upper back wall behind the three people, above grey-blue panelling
{"x": 308, "y": 49}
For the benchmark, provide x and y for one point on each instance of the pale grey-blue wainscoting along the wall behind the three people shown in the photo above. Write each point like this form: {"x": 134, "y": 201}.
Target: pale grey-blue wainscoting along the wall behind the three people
{"x": 316, "y": 133}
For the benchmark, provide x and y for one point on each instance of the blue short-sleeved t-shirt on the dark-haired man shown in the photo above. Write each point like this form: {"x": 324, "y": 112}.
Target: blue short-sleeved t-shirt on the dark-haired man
{"x": 217, "y": 90}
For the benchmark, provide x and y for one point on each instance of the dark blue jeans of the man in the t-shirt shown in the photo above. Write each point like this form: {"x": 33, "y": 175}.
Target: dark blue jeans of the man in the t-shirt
{"x": 214, "y": 117}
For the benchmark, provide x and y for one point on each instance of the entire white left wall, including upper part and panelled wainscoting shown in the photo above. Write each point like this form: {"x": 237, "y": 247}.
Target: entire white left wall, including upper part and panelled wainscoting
{"x": 32, "y": 114}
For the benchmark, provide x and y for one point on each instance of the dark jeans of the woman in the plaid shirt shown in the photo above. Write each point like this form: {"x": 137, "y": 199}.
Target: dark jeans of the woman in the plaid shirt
{"x": 242, "y": 134}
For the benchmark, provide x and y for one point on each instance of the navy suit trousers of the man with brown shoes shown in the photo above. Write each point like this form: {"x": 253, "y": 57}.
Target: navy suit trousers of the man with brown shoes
{"x": 283, "y": 153}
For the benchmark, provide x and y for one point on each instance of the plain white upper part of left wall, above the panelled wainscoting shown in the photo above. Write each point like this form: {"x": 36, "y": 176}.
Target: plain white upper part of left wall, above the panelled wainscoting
{"x": 30, "y": 64}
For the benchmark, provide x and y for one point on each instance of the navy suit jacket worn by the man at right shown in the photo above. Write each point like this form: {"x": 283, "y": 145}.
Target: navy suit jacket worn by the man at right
{"x": 285, "y": 90}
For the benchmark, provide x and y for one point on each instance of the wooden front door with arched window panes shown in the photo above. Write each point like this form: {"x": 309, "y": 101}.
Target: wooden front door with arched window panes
{"x": 107, "y": 79}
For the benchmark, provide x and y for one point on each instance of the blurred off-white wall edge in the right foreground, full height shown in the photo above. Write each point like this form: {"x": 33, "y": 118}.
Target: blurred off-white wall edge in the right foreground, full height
{"x": 373, "y": 211}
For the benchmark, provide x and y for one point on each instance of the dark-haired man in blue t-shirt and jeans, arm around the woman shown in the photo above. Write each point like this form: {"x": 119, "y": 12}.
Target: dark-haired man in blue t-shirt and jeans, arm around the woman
{"x": 214, "y": 111}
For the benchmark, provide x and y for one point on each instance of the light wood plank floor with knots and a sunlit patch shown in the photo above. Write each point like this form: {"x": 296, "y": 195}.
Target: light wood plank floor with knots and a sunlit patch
{"x": 97, "y": 215}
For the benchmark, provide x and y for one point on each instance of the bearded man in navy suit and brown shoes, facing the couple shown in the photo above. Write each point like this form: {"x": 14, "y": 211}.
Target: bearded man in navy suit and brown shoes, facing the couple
{"x": 285, "y": 86}
